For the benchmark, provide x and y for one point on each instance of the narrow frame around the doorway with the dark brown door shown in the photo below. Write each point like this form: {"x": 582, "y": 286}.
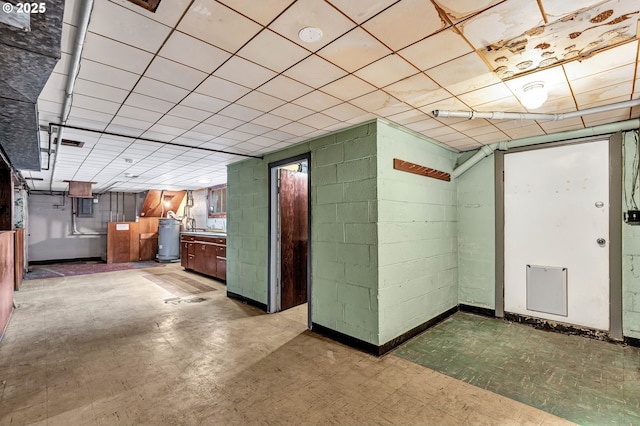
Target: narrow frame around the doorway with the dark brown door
{"x": 272, "y": 303}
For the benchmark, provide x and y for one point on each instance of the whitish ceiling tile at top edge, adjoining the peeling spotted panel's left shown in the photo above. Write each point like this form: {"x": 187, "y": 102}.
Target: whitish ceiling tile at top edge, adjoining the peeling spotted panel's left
{"x": 505, "y": 21}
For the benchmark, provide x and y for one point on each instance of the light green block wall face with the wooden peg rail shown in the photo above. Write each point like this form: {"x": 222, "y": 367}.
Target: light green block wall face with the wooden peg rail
{"x": 417, "y": 244}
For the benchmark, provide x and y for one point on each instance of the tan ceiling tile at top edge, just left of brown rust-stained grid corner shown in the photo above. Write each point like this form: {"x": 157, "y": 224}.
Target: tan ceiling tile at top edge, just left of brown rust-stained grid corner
{"x": 405, "y": 23}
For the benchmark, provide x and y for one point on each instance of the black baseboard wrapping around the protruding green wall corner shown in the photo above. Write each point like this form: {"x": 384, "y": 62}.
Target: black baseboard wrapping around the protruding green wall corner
{"x": 379, "y": 350}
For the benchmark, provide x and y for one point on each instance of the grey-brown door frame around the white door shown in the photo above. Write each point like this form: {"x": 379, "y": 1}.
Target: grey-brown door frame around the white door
{"x": 615, "y": 226}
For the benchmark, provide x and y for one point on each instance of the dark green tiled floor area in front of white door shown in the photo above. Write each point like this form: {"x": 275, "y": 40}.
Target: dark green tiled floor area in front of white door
{"x": 587, "y": 381}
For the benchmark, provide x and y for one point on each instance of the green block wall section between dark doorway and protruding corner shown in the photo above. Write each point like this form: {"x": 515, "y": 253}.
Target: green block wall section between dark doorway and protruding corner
{"x": 344, "y": 234}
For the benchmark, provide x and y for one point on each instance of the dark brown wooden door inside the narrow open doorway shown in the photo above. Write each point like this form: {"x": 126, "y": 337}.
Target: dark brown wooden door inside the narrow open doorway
{"x": 293, "y": 238}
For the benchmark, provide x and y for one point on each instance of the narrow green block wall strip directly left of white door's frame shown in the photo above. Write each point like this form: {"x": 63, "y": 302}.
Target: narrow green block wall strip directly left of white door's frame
{"x": 476, "y": 235}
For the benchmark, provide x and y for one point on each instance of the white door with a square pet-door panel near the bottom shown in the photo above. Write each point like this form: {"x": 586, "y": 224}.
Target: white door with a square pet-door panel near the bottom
{"x": 556, "y": 229}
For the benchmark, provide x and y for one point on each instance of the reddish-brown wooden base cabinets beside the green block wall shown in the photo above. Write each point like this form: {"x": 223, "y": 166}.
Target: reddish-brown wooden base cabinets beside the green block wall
{"x": 204, "y": 254}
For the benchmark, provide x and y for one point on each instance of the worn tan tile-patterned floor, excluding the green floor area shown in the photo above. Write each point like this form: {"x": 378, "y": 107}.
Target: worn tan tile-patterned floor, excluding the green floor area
{"x": 115, "y": 353}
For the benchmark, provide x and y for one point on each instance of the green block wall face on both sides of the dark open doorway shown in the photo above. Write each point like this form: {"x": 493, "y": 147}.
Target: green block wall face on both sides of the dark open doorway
{"x": 343, "y": 229}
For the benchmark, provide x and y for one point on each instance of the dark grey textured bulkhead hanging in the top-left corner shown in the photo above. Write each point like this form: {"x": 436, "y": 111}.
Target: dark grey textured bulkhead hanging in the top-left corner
{"x": 27, "y": 59}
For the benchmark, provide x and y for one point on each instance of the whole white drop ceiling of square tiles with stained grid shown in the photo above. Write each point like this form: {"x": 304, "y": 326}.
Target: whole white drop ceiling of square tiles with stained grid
{"x": 233, "y": 75}
